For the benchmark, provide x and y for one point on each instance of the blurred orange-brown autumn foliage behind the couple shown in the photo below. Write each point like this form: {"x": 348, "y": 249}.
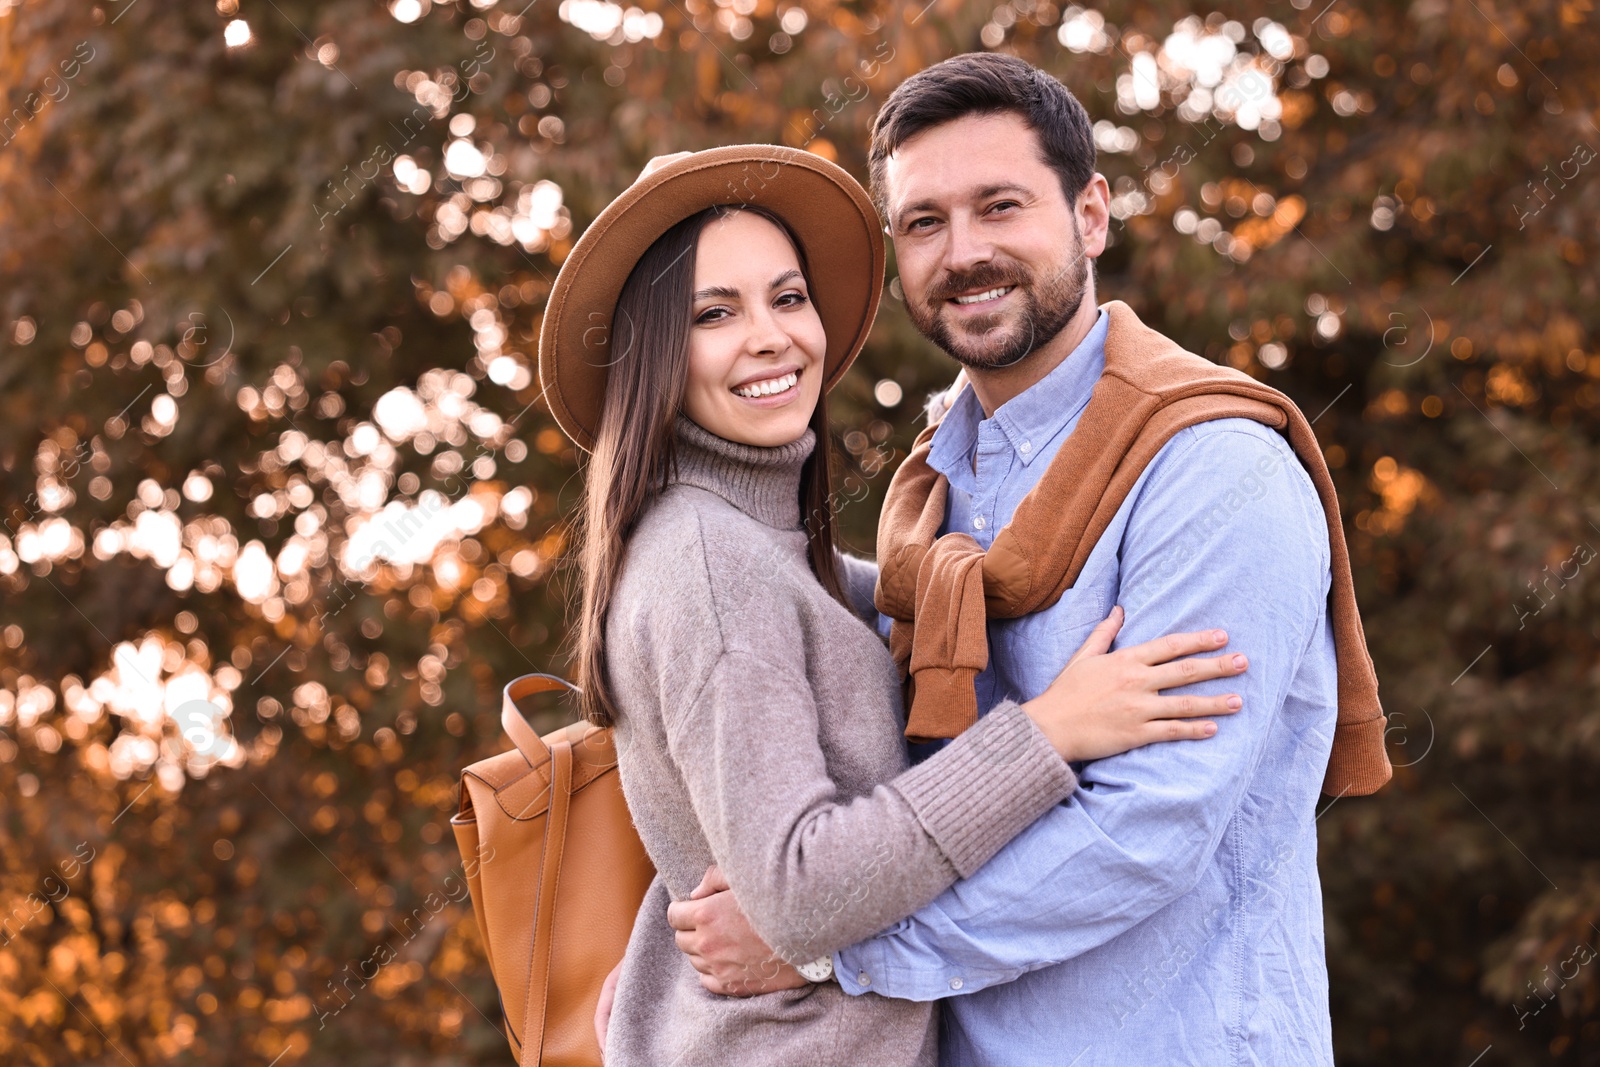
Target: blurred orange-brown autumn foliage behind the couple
{"x": 282, "y": 508}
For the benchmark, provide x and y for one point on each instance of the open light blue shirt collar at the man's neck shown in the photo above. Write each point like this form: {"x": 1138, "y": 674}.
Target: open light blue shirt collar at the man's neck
{"x": 1030, "y": 420}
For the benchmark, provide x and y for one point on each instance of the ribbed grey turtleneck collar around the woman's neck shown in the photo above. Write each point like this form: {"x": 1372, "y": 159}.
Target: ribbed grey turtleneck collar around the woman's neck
{"x": 761, "y": 482}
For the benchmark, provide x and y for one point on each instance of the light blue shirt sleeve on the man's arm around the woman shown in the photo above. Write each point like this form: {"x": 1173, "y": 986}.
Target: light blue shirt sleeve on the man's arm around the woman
{"x": 1226, "y": 532}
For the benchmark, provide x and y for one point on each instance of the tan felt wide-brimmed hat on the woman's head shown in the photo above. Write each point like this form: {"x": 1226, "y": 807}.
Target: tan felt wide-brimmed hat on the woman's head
{"x": 828, "y": 210}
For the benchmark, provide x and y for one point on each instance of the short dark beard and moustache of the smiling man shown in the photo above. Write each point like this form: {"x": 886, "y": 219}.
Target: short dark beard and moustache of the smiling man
{"x": 1047, "y": 310}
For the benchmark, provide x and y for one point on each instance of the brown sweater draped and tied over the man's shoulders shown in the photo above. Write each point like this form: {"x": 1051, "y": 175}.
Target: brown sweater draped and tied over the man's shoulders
{"x": 942, "y": 591}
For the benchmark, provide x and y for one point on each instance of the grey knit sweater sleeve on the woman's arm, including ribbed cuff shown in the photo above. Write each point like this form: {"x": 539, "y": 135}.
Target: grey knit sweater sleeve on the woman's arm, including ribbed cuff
{"x": 814, "y": 869}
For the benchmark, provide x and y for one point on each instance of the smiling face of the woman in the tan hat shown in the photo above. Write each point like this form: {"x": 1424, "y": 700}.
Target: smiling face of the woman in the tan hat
{"x": 756, "y": 343}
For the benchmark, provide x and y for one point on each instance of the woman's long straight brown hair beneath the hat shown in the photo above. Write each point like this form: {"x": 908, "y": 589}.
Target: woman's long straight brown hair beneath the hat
{"x": 634, "y": 444}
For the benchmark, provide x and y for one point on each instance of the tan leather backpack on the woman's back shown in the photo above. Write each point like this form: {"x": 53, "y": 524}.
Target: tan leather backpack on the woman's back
{"x": 556, "y": 871}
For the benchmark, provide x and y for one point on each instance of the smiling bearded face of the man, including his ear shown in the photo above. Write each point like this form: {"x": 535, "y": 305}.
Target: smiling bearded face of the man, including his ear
{"x": 993, "y": 257}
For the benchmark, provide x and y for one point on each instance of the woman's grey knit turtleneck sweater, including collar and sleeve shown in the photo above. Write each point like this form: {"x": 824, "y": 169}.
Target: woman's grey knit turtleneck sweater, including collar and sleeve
{"x": 761, "y": 729}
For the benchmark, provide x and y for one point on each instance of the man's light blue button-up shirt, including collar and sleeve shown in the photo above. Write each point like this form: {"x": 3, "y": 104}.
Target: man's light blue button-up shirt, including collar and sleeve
{"x": 1169, "y": 913}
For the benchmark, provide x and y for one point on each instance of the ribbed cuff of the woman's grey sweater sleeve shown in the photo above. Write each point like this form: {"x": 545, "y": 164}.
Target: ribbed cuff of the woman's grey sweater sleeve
{"x": 986, "y": 786}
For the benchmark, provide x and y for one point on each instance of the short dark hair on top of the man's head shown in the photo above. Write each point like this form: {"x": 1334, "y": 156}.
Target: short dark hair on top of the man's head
{"x": 986, "y": 84}
